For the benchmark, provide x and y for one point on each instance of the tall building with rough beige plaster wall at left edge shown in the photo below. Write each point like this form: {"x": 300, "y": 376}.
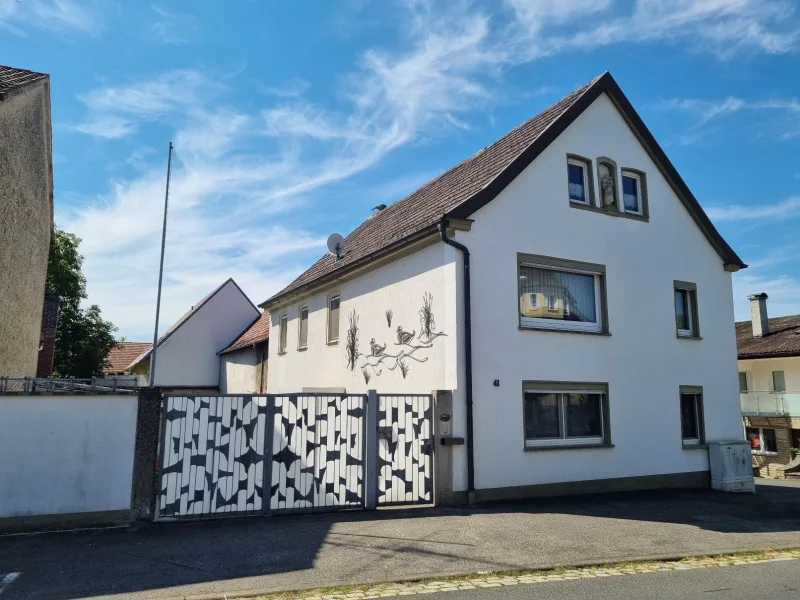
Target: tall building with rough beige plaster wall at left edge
{"x": 26, "y": 226}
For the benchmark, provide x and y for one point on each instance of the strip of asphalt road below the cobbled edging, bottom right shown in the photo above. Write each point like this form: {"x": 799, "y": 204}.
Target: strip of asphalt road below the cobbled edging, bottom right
{"x": 766, "y": 581}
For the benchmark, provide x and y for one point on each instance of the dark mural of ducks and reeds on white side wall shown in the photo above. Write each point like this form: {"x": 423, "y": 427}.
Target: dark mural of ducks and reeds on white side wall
{"x": 406, "y": 347}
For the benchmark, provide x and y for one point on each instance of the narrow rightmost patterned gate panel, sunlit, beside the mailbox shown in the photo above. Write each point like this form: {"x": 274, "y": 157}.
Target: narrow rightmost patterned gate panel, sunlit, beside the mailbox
{"x": 405, "y": 449}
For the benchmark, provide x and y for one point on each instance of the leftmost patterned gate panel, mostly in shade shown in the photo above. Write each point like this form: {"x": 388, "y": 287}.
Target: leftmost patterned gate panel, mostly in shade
{"x": 212, "y": 455}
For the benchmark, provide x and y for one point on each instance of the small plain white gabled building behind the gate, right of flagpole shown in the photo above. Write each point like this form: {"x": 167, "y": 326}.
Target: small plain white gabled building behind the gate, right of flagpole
{"x": 187, "y": 356}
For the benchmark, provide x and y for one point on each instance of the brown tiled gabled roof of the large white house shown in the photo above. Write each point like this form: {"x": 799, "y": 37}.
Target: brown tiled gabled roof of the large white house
{"x": 474, "y": 182}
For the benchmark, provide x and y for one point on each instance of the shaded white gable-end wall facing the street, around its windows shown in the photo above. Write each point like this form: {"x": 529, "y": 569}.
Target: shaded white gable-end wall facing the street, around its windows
{"x": 642, "y": 361}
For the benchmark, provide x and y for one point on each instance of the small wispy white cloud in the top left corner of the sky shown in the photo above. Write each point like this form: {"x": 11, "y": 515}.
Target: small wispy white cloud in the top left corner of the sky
{"x": 50, "y": 15}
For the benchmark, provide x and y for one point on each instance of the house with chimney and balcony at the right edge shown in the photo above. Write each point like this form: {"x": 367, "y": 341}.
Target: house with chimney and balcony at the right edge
{"x": 769, "y": 385}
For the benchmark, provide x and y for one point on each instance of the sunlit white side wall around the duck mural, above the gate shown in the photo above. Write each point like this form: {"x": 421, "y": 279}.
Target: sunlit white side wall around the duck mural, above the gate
{"x": 398, "y": 286}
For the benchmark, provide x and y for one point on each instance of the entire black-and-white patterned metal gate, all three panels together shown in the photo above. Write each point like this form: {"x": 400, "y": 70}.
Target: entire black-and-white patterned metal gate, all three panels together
{"x": 310, "y": 451}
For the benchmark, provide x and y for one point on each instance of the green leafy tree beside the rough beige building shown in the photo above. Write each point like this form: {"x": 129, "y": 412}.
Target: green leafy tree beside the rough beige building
{"x": 83, "y": 337}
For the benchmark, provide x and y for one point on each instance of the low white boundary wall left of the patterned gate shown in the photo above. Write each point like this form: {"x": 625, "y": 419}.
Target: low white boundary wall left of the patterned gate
{"x": 66, "y": 454}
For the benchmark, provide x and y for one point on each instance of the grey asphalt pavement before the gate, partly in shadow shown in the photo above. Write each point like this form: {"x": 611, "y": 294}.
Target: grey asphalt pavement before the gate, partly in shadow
{"x": 307, "y": 551}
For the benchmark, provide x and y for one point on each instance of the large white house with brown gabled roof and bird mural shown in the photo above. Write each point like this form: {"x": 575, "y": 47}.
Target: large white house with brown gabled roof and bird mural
{"x": 619, "y": 386}
